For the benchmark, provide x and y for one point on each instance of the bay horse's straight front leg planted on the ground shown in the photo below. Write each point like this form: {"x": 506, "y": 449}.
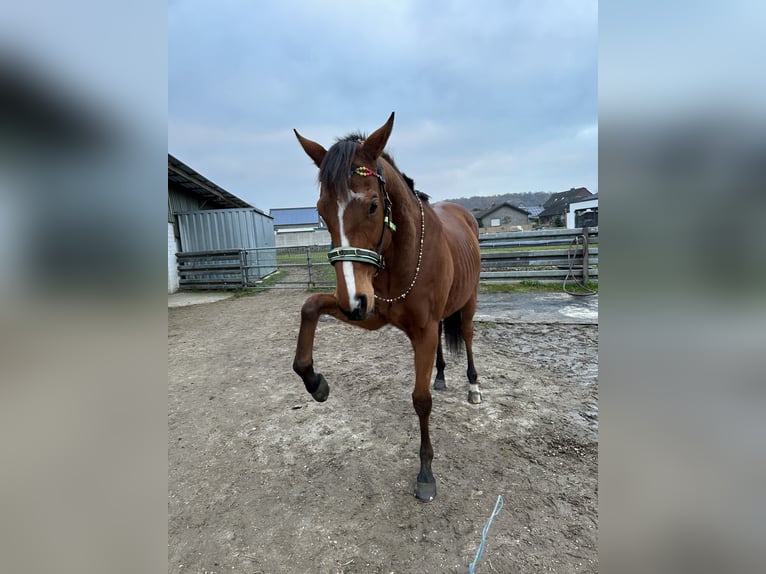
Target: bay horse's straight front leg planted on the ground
{"x": 425, "y": 345}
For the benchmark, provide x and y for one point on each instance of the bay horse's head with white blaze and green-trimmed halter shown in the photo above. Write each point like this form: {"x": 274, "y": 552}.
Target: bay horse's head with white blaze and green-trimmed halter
{"x": 355, "y": 205}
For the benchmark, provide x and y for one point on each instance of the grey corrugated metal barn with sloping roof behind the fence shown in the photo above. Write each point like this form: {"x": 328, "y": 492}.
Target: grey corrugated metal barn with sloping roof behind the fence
{"x": 203, "y": 217}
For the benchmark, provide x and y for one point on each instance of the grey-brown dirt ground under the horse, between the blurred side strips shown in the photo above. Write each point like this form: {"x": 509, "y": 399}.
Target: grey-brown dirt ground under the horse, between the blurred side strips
{"x": 262, "y": 479}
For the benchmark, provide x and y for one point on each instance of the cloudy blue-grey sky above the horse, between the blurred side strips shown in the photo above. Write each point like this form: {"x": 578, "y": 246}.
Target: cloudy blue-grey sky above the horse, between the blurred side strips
{"x": 491, "y": 96}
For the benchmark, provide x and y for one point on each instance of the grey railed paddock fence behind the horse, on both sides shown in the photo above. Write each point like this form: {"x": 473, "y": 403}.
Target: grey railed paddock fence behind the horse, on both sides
{"x": 546, "y": 256}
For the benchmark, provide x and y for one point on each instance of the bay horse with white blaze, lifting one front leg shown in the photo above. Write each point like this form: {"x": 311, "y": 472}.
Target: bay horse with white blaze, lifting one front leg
{"x": 398, "y": 261}
